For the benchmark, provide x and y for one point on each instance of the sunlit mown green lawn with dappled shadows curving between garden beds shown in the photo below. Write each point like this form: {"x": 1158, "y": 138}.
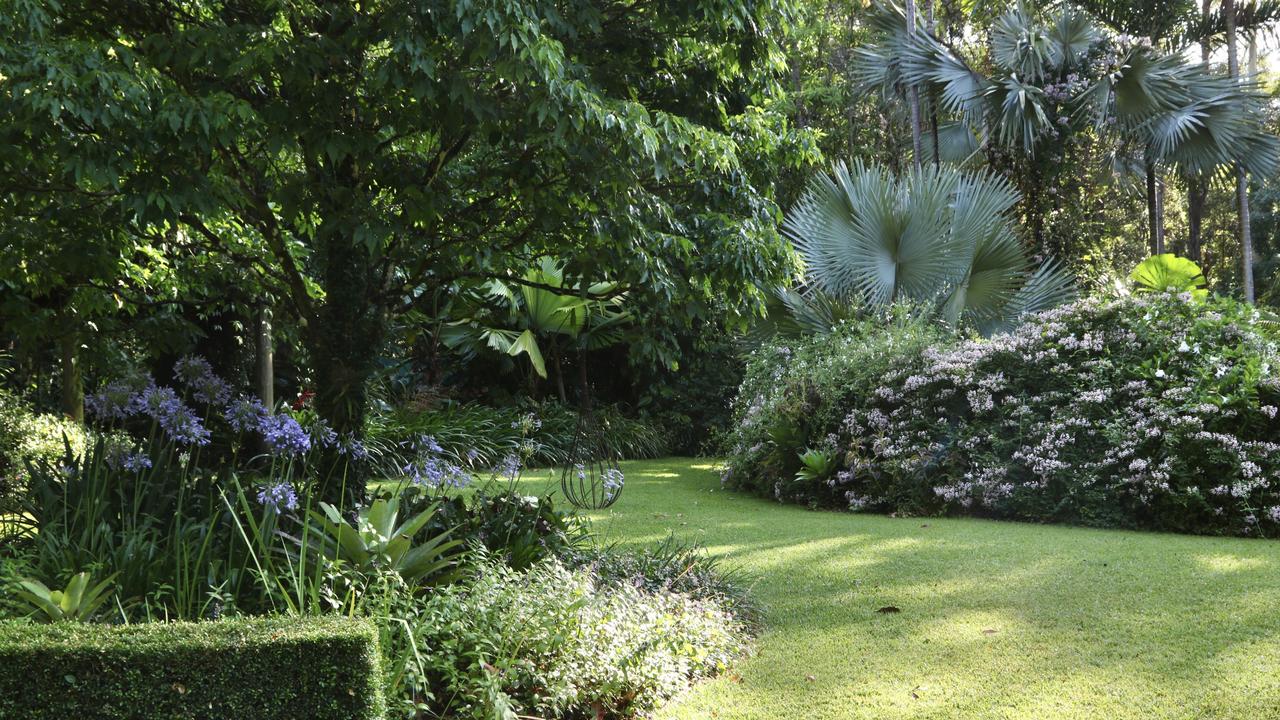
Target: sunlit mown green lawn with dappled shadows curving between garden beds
{"x": 996, "y": 619}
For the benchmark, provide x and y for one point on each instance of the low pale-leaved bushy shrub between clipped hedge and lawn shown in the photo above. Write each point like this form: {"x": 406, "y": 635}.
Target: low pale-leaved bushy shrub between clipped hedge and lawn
{"x": 554, "y": 642}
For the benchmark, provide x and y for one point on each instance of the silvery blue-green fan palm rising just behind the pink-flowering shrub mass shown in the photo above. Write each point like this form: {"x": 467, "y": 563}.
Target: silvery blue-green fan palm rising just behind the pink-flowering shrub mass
{"x": 936, "y": 235}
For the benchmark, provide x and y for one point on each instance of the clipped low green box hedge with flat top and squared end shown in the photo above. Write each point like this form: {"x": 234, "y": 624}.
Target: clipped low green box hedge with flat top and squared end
{"x": 264, "y": 668}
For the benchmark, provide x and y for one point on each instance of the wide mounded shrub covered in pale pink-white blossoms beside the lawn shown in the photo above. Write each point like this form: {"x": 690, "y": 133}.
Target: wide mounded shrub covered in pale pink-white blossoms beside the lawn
{"x": 1153, "y": 412}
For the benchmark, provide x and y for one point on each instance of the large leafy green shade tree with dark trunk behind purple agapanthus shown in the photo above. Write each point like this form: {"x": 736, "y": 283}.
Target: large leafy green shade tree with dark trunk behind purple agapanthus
{"x": 380, "y": 151}
